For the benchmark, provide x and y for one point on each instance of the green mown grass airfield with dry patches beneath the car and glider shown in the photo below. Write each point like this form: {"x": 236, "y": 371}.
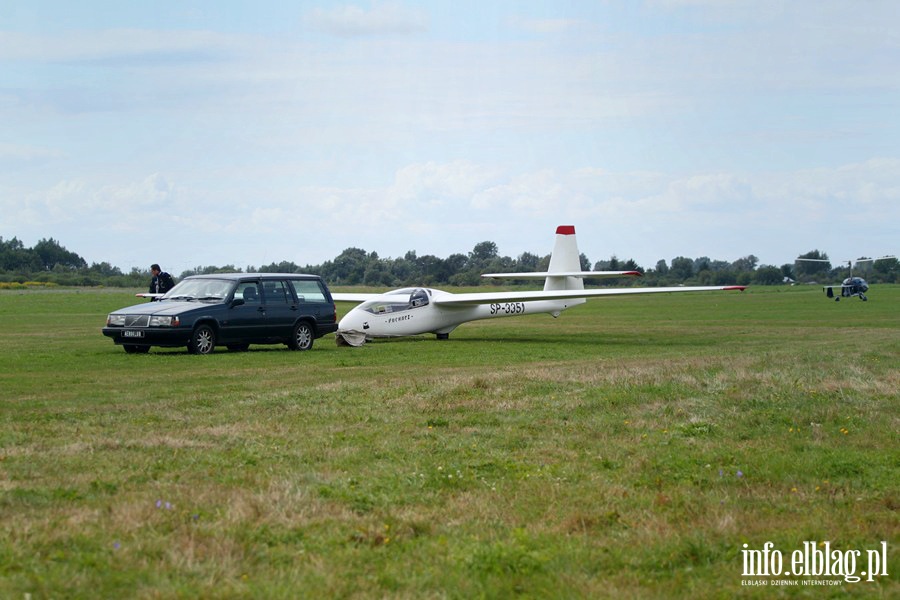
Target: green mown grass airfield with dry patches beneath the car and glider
{"x": 629, "y": 448}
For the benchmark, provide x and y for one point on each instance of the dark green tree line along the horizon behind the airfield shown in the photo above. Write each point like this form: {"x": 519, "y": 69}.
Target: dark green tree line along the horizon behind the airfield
{"x": 49, "y": 262}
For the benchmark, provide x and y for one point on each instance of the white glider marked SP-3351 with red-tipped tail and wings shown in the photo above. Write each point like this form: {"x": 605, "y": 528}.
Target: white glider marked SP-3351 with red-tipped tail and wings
{"x": 416, "y": 311}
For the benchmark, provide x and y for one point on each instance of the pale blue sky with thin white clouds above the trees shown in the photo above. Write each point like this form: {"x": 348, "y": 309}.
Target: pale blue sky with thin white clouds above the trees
{"x": 216, "y": 132}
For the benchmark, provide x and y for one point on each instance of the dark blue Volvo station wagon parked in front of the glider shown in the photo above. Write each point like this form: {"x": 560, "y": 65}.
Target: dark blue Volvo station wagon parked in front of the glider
{"x": 231, "y": 309}
